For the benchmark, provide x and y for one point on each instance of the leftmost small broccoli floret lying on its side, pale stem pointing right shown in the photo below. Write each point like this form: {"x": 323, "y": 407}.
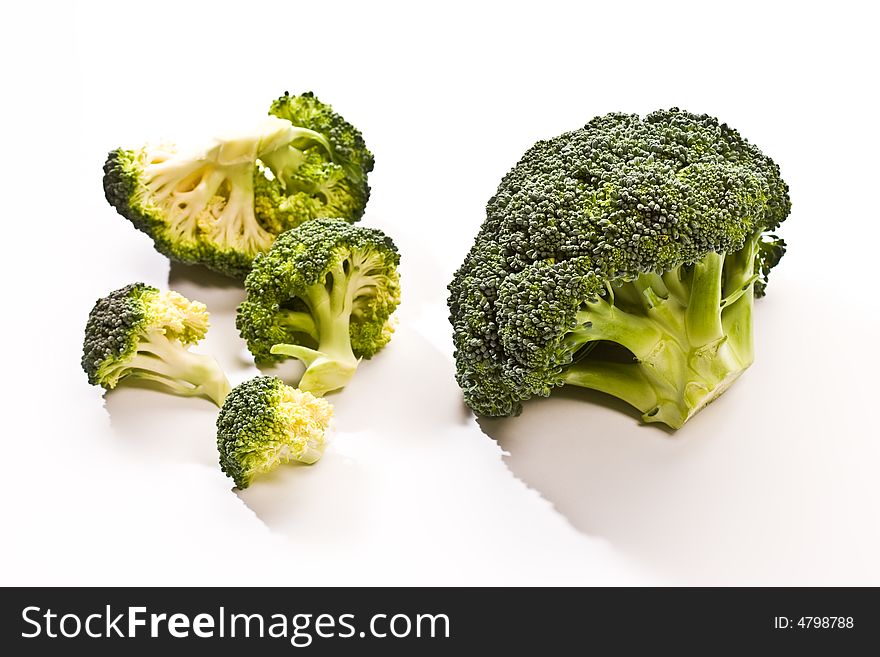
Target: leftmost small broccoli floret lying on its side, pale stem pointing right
{"x": 138, "y": 332}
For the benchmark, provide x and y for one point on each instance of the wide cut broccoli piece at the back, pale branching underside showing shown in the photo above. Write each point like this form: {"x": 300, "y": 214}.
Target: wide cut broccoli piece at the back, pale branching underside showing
{"x": 223, "y": 205}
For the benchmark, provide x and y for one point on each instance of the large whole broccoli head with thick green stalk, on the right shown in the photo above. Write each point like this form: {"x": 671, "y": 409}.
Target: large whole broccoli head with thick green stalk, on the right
{"x": 622, "y": 257}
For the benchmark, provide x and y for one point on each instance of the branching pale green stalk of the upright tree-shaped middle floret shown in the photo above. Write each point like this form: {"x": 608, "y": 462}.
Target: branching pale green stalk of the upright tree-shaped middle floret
{"x": 331, "y": 304}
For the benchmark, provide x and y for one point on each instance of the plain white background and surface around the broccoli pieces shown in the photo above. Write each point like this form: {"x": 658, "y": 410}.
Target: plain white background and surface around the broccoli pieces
{"x": 775, "y": 483}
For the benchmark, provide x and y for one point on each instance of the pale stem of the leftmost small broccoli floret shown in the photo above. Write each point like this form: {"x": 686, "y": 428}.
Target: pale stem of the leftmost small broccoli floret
{"x": 170, "y": 364}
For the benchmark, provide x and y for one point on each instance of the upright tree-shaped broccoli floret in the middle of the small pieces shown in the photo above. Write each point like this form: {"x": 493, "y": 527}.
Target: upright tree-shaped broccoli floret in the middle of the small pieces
{"x": 324, "y": 294}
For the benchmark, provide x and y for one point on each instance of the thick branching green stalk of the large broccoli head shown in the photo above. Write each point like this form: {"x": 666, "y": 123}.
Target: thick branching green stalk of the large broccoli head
{"x": 689, "y": 331}
